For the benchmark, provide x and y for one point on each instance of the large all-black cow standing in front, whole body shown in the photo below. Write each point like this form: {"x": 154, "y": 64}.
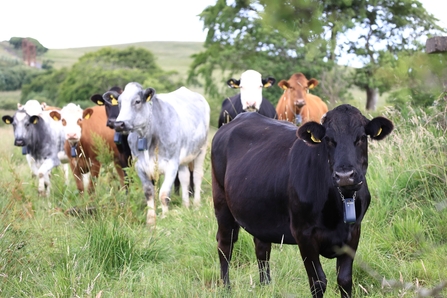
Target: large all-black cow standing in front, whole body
{"x": 304, "y": 187}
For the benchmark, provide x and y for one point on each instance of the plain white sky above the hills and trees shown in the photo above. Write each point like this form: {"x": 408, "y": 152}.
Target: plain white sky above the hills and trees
{"x": 59, "y": 24}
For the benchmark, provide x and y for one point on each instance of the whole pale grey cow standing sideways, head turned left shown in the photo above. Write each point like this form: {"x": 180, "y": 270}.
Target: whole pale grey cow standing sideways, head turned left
{"x": 167, "y": 132}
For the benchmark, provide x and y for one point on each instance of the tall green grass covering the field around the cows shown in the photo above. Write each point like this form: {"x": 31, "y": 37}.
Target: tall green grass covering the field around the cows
{"x": 110, "y": 252}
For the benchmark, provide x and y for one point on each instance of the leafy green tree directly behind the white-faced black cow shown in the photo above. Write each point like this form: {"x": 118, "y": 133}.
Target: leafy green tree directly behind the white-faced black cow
{"x": 238, "y": 39}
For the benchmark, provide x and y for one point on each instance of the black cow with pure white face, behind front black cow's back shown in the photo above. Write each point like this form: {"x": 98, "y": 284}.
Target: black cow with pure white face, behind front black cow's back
{"x": 249, "y": 99}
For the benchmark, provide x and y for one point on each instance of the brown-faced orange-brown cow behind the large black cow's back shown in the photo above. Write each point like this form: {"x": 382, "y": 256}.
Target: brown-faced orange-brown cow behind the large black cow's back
{"x": 297, "y": 105}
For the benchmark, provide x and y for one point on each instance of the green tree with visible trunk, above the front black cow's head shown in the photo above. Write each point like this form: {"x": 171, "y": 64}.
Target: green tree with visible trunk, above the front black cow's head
{"x": 384, "y": 31}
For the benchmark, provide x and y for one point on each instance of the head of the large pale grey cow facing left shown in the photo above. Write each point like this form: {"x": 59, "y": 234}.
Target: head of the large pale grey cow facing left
{"x": 135, "y": 107}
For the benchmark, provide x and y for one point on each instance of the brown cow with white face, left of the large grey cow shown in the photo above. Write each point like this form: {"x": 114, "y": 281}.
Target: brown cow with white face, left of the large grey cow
{"x": 81, "y": 127}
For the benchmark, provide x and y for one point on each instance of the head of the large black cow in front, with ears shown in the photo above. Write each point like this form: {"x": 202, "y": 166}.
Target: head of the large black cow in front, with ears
{"x": 344, "y": 132}
